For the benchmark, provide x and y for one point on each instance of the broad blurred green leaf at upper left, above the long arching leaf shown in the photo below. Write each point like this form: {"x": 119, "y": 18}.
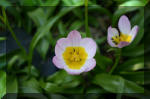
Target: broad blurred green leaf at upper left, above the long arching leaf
{"x": 38, "y": 16}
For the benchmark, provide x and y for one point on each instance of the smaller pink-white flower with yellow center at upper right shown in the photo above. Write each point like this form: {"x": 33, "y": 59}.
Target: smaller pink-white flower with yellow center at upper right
{"x": 125, "y": 35}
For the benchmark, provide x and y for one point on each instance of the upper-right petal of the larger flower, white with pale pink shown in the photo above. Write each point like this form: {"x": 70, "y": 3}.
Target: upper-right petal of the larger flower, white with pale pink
{"x": 90, "y": 46}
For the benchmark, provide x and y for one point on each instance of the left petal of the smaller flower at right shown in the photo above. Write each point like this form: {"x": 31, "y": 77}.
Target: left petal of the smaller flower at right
{"x": 111, "y": 33}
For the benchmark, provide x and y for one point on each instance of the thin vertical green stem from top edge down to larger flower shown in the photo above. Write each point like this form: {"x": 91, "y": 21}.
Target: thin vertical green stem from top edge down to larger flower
{"x": 86, "y": 19}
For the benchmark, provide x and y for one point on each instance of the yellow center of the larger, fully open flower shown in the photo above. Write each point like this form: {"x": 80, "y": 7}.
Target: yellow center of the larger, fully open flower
{"x": 75, "y": 57}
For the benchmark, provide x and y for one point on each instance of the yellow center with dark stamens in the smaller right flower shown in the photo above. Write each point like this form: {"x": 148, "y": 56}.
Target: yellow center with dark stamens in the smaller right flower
{"x": 121, "y": 38}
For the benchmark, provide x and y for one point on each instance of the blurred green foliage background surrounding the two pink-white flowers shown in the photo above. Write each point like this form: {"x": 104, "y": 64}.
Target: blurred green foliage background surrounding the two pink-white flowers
{"x": 30, "y": 29}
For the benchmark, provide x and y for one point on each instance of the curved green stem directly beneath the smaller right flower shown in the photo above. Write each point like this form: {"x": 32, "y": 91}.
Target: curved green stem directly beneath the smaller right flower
{"x": 118, "y": 55}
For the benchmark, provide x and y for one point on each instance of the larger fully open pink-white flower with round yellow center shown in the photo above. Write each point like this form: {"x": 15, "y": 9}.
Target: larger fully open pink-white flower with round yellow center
{"x": 75, "y": 54}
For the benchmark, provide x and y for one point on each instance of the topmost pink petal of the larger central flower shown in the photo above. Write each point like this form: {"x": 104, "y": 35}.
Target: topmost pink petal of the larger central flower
{"x": 74, "y": 37}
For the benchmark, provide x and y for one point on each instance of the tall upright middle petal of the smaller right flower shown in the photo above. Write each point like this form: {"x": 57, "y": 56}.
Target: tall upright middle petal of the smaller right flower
{"x": 124, "y": 25}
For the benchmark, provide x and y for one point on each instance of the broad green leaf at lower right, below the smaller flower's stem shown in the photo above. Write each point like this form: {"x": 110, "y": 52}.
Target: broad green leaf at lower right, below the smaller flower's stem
{"x": 116, "y": 84}
